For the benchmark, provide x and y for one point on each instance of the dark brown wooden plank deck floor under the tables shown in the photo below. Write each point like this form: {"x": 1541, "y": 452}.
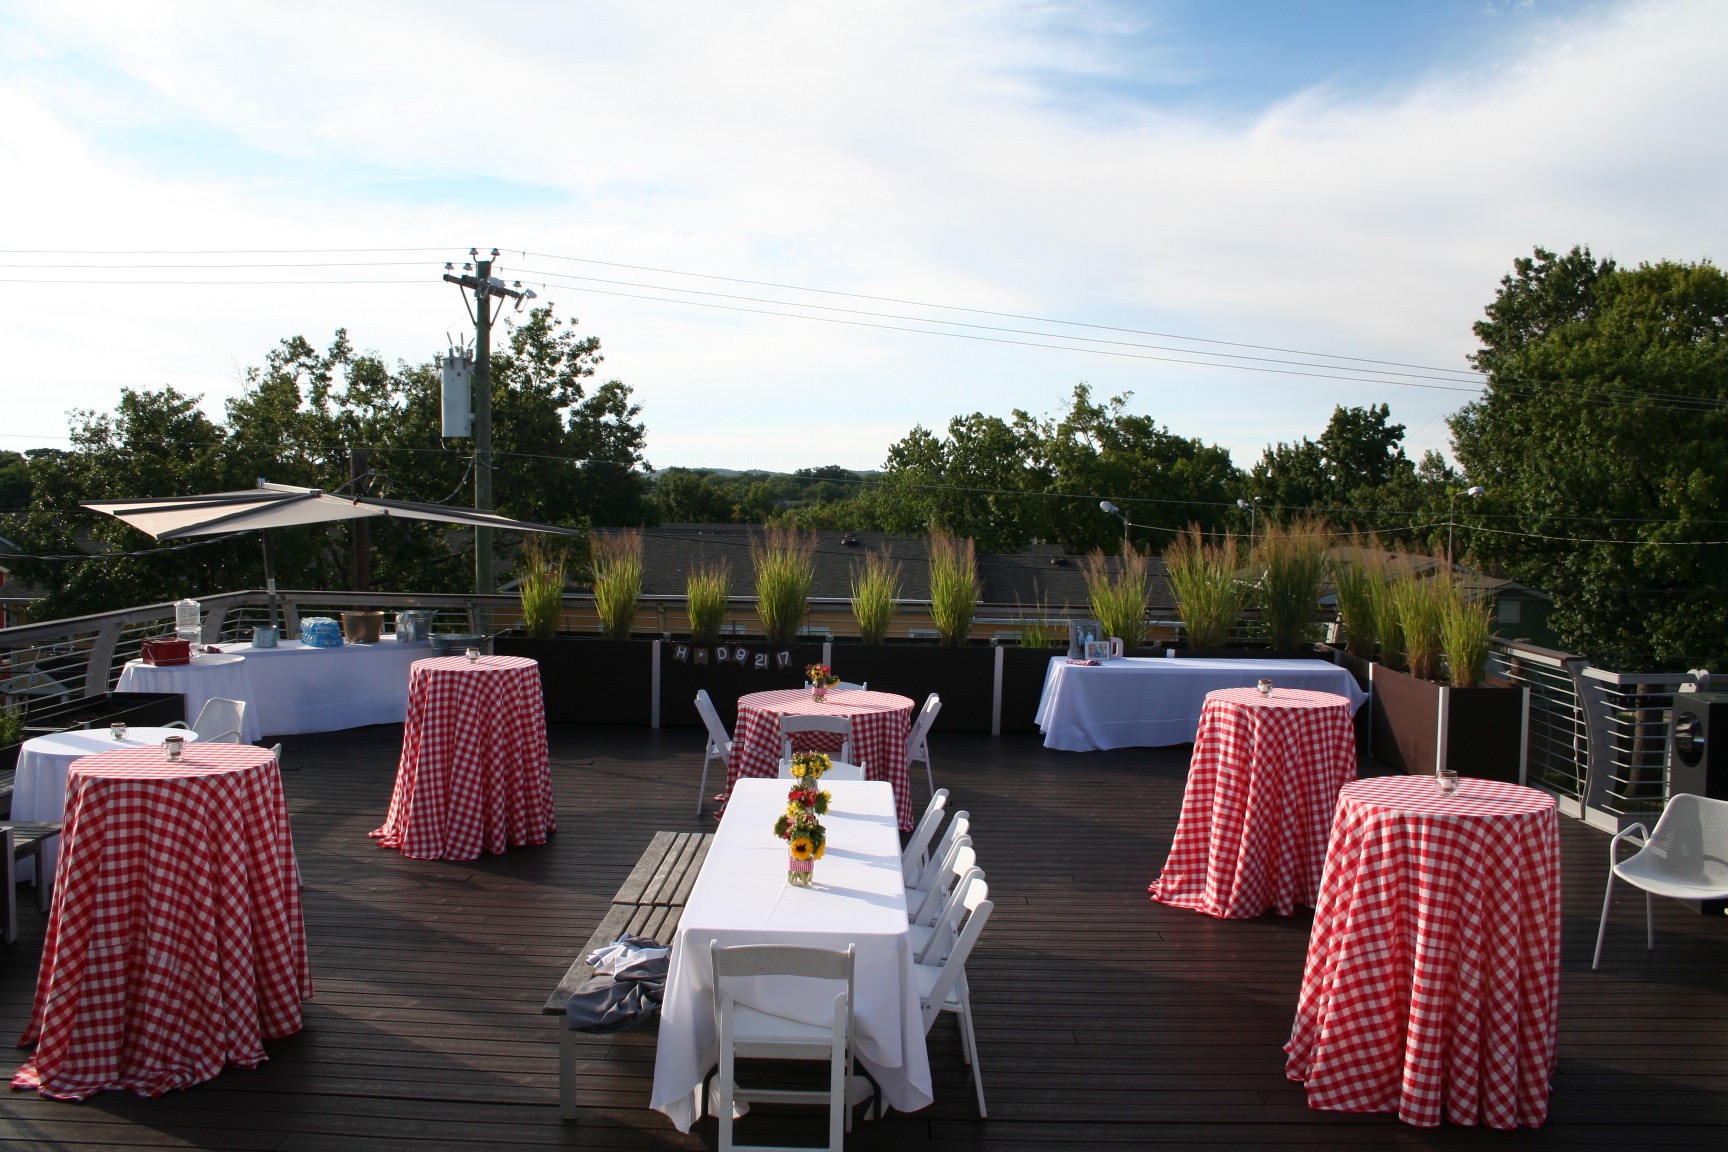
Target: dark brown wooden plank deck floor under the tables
{"x": 1103, "y": 1020}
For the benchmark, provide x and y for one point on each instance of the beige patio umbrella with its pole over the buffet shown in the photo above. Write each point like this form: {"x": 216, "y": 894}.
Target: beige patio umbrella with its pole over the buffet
{"x": 283, "y": 507}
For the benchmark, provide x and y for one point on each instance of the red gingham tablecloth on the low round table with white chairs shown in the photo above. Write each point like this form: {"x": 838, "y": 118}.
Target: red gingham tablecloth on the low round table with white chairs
{"x": 880, "y": 726}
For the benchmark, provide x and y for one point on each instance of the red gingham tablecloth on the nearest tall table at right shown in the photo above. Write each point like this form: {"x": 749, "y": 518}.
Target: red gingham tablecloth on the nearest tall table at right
{"x": 1433, "y": 982}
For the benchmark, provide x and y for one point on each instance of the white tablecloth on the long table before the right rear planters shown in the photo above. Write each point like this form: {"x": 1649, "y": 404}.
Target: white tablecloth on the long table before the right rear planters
{"x": 1145, "y": 702}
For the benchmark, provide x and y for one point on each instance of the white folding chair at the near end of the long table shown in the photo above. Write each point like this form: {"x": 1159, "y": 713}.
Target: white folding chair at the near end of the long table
{"x": 754, "y": 1034}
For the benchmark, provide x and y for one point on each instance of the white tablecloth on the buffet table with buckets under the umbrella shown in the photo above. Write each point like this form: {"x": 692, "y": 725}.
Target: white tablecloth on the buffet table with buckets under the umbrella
{"x": 293, "y": 688}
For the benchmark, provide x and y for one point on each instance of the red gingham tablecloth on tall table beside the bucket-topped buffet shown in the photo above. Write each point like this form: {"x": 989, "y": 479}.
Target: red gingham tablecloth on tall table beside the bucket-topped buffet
{"x": 474, "y": 773}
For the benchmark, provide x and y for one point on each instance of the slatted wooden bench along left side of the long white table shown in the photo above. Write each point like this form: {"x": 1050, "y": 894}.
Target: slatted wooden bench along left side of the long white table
{"x": 649, "y": 904}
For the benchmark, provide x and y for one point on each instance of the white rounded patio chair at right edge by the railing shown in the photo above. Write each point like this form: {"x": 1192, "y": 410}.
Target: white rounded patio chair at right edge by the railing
{"x": 1686, "y": 859}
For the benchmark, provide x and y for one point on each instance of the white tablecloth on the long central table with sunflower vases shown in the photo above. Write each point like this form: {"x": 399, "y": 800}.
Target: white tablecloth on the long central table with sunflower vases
{"x": 742, "y": 899}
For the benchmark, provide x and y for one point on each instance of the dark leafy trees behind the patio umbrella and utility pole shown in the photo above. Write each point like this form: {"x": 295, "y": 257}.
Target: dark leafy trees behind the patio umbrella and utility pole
{"x": 571, "y": 455}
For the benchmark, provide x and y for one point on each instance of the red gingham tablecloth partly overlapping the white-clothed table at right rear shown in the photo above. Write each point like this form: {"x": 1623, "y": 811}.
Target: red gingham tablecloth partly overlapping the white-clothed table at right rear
{"x": 1259, "y": 802}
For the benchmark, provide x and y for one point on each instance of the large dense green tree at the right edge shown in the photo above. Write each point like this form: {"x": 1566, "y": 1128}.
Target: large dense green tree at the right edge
{"x": 1604, "y": 427}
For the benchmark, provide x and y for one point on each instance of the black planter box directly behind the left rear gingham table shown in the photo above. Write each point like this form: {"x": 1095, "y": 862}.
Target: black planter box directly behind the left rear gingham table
{"x": 588, "y": 680}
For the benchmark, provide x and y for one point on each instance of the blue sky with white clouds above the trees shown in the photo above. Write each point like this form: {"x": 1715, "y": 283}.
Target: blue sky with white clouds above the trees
{"x": 1340, "y": 179}
